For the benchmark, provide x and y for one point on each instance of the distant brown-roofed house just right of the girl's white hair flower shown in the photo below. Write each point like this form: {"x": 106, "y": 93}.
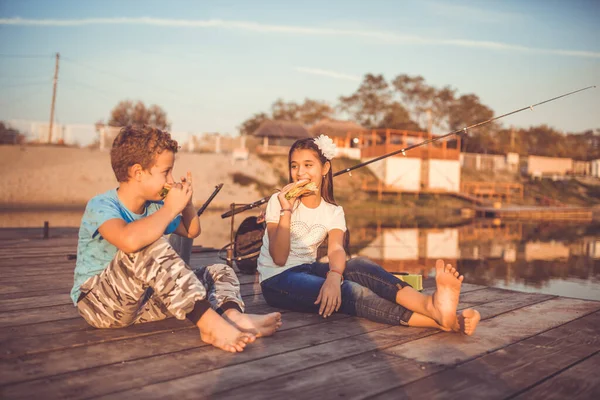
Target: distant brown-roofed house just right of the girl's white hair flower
{"x": 345, "y": 134}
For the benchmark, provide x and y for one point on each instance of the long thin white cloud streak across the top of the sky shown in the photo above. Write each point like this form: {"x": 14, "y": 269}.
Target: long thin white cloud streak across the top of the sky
{"x": 389, "y": 37}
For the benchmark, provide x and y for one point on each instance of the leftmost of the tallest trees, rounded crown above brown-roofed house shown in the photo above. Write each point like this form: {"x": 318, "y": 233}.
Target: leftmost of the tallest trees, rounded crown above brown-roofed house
{"x": 370, "y": 103}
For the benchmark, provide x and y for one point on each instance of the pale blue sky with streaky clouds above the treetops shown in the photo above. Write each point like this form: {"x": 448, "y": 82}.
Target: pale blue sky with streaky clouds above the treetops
{"x": 212, "y": 64}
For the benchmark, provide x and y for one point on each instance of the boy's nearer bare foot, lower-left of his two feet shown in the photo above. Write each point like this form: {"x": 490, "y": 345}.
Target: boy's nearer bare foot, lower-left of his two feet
{"x": 216, "y": 331}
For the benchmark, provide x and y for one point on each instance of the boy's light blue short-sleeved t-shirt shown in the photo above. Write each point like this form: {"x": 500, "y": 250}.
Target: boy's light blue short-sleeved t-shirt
{"x": 93, "y": 252}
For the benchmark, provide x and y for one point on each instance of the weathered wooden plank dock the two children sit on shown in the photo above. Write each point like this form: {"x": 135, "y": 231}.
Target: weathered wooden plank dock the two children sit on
{"x": 527, "y": 346}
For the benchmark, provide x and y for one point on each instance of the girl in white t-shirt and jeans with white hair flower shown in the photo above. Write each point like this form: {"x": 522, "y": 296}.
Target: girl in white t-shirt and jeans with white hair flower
{"x": 292, "y": 279}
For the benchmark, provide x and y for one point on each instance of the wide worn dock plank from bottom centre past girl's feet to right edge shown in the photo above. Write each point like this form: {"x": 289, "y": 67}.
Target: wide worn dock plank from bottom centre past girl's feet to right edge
{"x": 419, "y": 358}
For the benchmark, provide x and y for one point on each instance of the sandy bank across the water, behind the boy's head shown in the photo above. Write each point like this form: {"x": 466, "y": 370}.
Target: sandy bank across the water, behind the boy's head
{"x": 68, "y": 177}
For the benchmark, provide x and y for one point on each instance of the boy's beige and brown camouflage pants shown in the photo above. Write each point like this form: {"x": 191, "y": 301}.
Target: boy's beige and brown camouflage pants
{"x": 151, "y": 285}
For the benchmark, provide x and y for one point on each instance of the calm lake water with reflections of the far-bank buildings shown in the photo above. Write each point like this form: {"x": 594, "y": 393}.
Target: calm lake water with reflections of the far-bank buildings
{"x": 559, "y": 259}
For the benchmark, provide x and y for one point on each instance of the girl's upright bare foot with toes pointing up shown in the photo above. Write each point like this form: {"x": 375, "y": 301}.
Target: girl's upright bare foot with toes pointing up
{"x": 445, "y": 299}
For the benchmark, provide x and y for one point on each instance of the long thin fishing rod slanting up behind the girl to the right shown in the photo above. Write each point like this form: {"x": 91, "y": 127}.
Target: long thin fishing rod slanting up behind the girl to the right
{"x": 403, "y": 151}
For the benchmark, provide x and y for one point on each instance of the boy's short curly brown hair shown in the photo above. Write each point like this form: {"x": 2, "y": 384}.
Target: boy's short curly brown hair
{"x": 138, "y": 145}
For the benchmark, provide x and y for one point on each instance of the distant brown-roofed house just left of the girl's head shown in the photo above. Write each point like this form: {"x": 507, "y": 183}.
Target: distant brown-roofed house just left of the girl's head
{"x": 278, "y": 136}
